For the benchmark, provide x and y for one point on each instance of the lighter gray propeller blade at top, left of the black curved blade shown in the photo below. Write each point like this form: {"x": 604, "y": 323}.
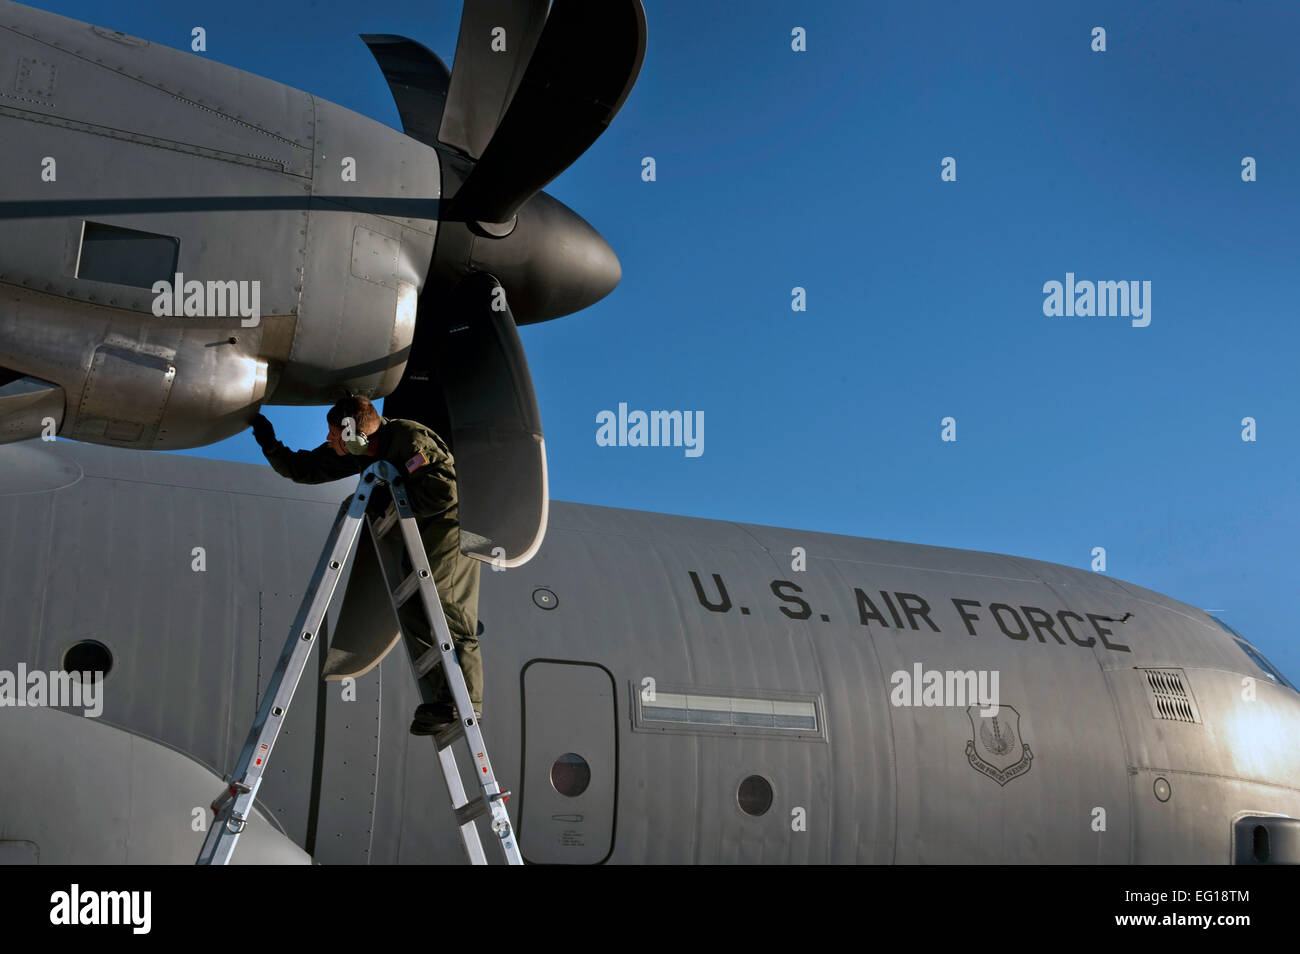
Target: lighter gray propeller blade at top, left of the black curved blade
{"x": 484, "y": 76}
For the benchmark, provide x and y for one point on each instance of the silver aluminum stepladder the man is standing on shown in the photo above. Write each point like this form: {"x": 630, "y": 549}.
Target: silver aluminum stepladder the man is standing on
{"x": 233, "y": 808}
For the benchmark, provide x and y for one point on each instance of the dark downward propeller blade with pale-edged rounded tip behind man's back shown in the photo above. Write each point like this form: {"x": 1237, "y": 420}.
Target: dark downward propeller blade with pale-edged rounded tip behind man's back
{"x": 482, "y": 387}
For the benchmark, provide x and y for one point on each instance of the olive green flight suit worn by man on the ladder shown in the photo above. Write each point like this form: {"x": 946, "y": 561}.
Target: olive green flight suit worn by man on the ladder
{"x": 431, "y": 480}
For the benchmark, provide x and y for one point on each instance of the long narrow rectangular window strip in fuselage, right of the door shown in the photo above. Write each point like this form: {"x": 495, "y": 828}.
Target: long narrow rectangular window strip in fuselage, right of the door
{"x": 713, "y": 713}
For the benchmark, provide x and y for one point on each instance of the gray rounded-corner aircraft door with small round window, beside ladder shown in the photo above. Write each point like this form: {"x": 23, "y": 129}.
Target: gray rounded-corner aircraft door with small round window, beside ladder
{"x": 570, "y": 786}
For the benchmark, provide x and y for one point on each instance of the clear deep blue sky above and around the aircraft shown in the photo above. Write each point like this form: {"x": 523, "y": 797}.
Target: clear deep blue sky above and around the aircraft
{"x": 925, "y": 298}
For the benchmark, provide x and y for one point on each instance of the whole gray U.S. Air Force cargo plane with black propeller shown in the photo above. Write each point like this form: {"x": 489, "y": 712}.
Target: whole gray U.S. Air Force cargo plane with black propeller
{"x": 188, "y": 244}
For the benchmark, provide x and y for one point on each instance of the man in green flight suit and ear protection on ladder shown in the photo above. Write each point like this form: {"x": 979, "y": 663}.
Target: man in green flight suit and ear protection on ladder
{"x": 358, "y": 437}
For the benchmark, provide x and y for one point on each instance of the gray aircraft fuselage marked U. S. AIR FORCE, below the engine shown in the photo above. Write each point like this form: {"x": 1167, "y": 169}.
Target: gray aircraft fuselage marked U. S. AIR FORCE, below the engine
{"x": 679, "y": 660}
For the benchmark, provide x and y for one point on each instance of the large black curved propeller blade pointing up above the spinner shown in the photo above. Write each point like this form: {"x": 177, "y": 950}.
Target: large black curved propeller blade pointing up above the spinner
{"x": 583, "y": 70}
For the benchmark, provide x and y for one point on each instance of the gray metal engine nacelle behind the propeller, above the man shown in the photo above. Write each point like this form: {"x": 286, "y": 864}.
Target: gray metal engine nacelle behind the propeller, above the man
{"x": 188, "y": 241}
